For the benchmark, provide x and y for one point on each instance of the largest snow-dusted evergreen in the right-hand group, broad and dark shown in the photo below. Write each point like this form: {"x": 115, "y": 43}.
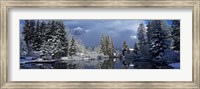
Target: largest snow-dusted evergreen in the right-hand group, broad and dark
{"x": 157, "y": 39}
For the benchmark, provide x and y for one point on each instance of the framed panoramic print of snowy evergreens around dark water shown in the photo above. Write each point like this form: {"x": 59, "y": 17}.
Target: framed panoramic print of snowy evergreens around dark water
{"x": 99, "y": 44}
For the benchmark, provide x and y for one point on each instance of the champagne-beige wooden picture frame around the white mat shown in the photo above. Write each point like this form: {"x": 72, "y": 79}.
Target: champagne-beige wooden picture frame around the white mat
{"x": 4, "y": 46}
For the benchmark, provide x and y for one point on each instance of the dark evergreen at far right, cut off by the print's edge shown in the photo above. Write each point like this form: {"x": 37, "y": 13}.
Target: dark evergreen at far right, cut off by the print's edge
{"x": 176, "y": 34}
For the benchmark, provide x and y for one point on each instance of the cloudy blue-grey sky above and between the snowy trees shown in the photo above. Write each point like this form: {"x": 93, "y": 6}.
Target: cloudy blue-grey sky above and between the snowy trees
{"x": 91, "y": 30}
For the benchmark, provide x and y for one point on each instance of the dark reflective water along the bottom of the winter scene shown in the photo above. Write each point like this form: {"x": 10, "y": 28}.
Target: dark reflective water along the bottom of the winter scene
{"x": 106, "y": 63}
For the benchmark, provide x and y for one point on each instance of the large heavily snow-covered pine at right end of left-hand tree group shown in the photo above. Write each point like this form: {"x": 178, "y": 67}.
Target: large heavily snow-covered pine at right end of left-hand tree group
{"x": 55, "y": 44}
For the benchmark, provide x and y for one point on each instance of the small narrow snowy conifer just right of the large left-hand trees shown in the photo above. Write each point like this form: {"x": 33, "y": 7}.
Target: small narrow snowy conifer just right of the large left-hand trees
{"x": 72, "y": 48}
